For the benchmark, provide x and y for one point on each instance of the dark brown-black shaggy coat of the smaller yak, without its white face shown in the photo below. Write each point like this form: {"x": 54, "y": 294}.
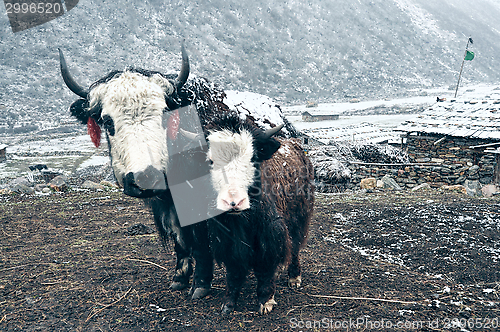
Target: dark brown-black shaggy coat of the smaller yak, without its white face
{"x": 272, "y": 231}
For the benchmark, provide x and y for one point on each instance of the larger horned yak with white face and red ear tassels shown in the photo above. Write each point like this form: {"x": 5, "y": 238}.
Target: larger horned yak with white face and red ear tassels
{"x": 138, "y": 110}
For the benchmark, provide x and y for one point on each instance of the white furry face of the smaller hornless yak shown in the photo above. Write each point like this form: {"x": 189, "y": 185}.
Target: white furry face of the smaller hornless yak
{"x": 232, "y": 170}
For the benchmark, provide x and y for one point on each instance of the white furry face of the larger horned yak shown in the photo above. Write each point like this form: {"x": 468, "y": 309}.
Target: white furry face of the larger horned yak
{"x": 136, "y": 104}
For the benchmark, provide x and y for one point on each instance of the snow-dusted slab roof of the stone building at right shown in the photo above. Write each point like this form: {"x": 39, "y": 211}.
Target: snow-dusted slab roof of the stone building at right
{"x": 469, "y": 118}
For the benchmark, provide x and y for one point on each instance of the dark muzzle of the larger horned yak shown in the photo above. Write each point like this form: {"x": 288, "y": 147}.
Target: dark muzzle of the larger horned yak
{"x": 147, "y": 183}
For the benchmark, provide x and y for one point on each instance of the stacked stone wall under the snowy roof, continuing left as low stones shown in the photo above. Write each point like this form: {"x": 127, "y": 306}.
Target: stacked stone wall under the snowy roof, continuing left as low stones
{"x": 449, "y": 162}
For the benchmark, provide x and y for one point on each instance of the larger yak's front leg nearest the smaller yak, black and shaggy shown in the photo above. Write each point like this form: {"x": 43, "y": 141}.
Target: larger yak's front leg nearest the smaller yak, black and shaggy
{"x": 203, "y": 273}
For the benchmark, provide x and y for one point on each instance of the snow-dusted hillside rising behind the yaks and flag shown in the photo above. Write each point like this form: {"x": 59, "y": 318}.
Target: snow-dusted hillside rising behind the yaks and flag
{"x": 294, "y": 51}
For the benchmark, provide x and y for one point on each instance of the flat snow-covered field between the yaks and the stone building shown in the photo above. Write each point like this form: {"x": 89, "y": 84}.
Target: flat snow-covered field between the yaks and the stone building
{"x": 375, "y": 121}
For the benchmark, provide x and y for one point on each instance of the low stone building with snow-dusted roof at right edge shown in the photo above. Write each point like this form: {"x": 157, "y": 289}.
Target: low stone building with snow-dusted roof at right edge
{"x": 457, "y": 140}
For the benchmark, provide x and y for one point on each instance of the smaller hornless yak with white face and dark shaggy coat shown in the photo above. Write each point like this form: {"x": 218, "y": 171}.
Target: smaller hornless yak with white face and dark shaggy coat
{"x": 265, "y": 186}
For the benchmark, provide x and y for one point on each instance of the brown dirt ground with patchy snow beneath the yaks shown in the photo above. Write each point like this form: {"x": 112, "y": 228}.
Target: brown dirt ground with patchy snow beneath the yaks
{"x": 387, "y": 261}
